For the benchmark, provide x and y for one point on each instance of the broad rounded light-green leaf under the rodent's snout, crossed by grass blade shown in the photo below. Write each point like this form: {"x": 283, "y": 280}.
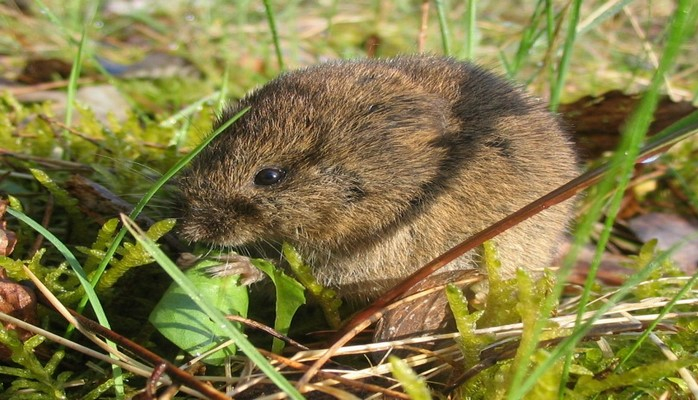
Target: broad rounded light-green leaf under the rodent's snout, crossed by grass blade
{"x": 181, "y": 321}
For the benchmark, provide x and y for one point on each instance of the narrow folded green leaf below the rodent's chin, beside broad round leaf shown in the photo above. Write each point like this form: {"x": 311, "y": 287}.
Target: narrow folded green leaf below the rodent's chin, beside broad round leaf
{"x": 289, "y": 296}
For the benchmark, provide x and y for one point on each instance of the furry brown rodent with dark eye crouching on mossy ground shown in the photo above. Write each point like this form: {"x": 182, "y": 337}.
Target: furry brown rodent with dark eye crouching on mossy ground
{"x": 371, "y": 168}
